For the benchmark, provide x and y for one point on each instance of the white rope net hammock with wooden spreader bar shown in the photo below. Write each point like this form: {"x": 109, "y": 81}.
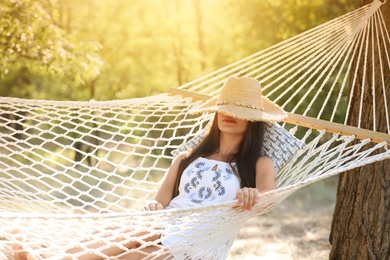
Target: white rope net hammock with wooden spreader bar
{"x": 81, "y": 171}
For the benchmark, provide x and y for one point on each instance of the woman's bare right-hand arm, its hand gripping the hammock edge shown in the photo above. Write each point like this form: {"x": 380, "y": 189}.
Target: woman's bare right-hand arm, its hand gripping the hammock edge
{"x": 265, "y": 181}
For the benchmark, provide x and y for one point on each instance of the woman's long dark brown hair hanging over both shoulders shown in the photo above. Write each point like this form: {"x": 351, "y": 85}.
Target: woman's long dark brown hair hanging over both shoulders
{"x": 249, "y": 152}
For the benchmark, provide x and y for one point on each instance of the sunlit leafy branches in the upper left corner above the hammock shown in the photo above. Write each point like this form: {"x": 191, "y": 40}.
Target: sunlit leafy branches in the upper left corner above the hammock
{"x": 38, "y": 59}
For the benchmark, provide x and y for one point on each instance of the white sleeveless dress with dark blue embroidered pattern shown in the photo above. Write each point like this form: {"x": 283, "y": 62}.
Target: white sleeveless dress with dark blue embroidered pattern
{"x": 203, "y": 182}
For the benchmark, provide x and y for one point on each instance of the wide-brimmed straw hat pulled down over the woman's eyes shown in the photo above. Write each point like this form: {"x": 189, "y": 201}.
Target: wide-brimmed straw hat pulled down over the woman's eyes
{"x": 241, "y": 98}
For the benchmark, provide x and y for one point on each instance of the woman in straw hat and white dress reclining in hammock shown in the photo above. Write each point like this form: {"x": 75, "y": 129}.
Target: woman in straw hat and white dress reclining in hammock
{"x": 229, "y": 161}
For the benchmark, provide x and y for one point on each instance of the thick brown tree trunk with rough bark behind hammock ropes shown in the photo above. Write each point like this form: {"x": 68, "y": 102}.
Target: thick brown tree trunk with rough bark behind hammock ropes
{"x": 361, "y": 220}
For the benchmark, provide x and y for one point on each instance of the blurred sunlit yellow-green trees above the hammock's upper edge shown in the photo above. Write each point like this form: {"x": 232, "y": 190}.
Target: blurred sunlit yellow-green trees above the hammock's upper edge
{"x": 104, "y": 49}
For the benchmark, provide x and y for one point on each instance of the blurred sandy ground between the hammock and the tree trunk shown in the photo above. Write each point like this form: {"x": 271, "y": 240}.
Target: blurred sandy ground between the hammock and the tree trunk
{"x": 298, "y": 229}
